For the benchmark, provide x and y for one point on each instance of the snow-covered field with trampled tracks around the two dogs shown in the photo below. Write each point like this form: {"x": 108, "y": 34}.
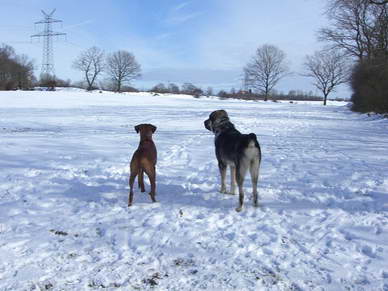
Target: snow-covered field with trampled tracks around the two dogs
{"x": 65, "y": 224}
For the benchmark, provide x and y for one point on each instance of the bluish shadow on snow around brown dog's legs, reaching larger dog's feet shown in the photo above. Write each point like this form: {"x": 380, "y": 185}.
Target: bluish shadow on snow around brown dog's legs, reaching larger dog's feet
{"x": 115, "y": 191}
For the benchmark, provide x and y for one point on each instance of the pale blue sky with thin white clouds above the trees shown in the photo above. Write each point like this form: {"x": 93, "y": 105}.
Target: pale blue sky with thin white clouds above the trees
{"x": 205, "y": 42}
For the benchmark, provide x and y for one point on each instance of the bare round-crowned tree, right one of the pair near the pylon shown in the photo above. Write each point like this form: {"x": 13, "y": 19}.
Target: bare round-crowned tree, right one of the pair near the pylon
{"x": 122, "y": 67}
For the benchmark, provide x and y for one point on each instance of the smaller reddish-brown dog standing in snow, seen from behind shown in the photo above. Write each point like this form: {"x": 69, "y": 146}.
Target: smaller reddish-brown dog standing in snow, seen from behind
{"x": 144, "y": 160}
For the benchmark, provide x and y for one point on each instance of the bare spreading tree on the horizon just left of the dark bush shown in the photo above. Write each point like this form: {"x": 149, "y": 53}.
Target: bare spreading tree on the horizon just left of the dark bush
{"x": 328, "y": 70}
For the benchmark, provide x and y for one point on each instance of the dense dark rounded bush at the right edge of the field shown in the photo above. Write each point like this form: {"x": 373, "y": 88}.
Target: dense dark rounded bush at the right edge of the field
{"x": 369, "y": 82}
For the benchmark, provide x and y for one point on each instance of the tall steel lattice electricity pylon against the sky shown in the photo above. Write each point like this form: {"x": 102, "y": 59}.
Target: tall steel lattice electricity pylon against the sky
{"x": 48, "y": 50}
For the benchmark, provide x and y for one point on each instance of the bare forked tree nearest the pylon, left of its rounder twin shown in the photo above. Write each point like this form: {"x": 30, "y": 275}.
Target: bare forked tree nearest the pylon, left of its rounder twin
{"x": 91, "y": 64}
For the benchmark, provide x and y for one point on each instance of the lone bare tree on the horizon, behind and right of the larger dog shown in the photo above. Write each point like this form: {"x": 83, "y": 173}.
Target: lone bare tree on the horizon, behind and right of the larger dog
{"x": 266, "y": 68}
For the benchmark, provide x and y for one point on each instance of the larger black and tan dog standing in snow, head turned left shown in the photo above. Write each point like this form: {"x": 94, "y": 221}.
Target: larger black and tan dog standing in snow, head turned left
{"x": 241, "y": 152}
